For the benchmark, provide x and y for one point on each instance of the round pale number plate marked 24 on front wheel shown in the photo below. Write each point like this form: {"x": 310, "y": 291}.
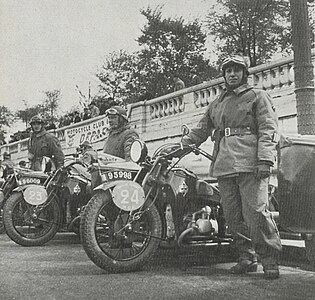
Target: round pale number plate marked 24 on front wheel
{"x": 128, "y": 195}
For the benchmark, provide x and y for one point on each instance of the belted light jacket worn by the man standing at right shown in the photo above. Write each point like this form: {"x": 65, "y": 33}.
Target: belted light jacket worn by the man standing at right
{"x": 249, "y": 109}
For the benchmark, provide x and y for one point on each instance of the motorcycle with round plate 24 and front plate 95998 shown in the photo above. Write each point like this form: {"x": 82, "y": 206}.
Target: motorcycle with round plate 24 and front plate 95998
{"x": 136, "y": 207}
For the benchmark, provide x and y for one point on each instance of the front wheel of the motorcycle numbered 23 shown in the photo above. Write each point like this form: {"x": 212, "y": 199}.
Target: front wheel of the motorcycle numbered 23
{"x": 25, "y": 230}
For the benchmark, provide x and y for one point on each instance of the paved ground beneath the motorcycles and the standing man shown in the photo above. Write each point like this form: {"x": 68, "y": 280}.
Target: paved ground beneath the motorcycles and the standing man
{"x": 61, "y": 270}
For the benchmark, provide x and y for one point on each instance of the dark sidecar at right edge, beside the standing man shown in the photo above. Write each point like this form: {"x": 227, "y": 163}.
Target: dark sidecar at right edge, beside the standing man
{"x": 296, "y": 189}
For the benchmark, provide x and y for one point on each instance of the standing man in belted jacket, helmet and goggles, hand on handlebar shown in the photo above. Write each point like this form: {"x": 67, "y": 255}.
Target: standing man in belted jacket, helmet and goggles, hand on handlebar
{"x": 243, "y": 124}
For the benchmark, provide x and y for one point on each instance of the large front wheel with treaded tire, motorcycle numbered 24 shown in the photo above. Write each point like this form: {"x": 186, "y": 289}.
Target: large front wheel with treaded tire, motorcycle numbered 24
{"x": 101, "y": 219}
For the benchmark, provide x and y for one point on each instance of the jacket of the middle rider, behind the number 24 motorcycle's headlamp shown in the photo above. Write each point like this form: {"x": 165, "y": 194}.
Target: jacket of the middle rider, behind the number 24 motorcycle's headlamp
{"x": 119, "y": 141}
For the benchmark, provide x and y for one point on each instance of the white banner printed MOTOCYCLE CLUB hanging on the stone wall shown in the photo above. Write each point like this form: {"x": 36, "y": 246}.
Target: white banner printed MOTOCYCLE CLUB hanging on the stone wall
{"x": 93, "y": 132}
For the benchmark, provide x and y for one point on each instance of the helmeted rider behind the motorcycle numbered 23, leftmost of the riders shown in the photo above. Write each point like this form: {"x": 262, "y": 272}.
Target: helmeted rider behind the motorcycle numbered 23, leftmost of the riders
{"x": 42, "y": 143}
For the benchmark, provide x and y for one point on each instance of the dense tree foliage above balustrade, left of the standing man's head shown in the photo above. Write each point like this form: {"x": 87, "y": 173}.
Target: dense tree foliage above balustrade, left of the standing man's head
{"x": 168, "y": 47}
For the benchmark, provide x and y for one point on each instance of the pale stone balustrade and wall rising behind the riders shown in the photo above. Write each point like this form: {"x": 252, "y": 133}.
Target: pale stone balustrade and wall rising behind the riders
{"x": 159, "y": 120}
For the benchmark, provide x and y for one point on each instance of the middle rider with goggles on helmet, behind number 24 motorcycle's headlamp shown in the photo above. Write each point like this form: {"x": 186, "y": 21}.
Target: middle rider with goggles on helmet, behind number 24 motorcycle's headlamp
{"x": 120, "y": 136}
